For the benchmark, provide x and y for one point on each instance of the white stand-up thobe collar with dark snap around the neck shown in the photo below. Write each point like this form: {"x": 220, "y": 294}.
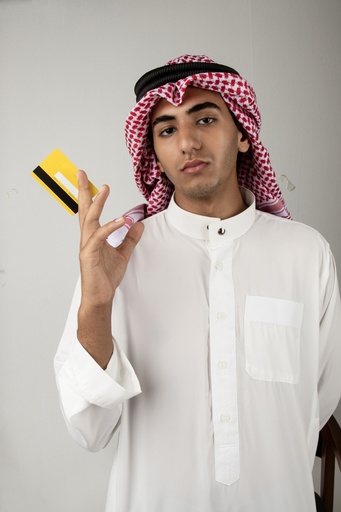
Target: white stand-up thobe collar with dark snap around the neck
{"x": 211, "y": 229}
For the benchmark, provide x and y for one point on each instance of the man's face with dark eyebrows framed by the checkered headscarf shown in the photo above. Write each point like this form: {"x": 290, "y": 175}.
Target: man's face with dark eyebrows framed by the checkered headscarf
{"x": 196, "y": 145}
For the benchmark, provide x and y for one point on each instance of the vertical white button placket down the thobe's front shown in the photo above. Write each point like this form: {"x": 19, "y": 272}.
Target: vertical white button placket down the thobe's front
{"x": 223, "y": 374}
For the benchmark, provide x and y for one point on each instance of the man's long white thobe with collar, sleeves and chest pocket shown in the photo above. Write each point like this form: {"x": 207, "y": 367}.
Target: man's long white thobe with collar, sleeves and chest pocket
{"x": 231, "y": 329}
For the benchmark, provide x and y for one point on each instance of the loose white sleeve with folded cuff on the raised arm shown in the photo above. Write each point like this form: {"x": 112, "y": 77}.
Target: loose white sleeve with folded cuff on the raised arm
{"x": 91, "y": 398}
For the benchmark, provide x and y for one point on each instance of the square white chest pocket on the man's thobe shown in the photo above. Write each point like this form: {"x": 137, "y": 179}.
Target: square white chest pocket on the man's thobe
{"x": 272, "y": 338}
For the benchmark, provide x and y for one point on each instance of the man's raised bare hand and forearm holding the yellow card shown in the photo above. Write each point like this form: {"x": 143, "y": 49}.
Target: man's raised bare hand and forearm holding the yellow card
{"x": 102, "y": 269}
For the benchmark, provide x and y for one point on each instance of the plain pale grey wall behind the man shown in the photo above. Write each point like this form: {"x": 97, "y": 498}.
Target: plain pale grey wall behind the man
{"x": 67, "y": 73}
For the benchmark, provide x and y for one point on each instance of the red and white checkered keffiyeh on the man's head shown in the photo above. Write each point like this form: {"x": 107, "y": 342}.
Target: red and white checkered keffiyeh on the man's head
{"x": 254, "y": 172}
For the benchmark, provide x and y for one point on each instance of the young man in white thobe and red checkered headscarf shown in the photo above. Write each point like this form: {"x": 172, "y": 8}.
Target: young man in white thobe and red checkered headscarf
{"x": 225, "y": 317}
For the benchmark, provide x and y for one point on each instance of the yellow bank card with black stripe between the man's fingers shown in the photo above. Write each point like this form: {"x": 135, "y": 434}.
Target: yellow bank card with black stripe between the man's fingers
{"x": 58, "y": 175}
